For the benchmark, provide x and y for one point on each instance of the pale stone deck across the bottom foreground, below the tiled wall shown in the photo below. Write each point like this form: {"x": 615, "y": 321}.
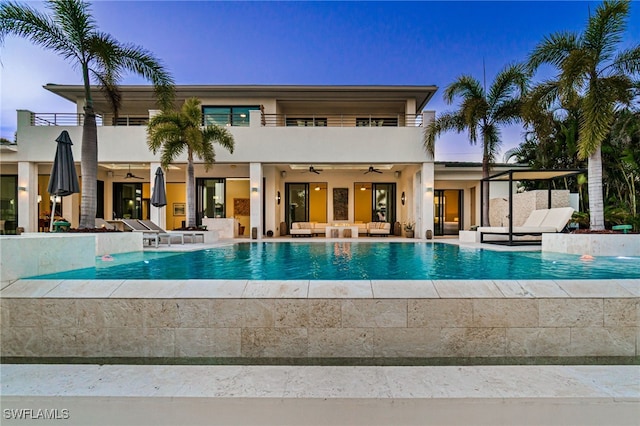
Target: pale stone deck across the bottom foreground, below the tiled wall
{"x": 311, "y": 395}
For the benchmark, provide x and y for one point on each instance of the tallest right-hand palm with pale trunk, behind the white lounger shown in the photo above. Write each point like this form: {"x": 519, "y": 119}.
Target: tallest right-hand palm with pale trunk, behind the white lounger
{"x": 596, "y": 76}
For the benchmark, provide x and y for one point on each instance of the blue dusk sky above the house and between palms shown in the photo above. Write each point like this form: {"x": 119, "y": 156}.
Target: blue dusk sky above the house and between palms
{"x": 341, "y": 43}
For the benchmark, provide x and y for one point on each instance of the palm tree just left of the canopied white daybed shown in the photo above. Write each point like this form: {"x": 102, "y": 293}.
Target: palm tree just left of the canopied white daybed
{"x": 481, "y": 113}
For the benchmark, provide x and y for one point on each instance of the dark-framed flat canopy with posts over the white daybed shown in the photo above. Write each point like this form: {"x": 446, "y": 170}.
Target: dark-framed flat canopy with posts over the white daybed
{"x": 519, "y": 175}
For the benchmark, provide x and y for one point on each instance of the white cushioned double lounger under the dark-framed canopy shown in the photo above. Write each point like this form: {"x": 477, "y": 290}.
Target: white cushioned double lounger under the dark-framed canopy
{"x": 538, "y": 223}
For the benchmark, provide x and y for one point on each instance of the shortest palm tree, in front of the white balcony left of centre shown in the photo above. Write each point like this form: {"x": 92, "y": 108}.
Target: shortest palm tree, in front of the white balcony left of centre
{"x": 172, "y": 132}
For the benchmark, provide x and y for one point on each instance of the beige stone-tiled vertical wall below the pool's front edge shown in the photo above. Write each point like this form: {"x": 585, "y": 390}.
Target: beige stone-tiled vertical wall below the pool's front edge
{"x": 325, "y": 328}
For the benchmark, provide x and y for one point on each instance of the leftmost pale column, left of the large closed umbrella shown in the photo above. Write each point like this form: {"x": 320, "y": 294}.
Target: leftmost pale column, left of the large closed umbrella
{"x": 28, "y": 196}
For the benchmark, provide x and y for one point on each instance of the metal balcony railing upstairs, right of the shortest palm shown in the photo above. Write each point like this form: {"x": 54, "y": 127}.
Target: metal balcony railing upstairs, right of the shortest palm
{"x": 342, "y": 120}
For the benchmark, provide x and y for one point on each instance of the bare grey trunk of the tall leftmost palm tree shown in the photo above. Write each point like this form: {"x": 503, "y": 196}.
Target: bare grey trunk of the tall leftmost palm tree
{"x": 89, "y": 170}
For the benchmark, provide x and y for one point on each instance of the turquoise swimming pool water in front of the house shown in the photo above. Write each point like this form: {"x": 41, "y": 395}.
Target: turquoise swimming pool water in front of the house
{"x": 353, "y": 261}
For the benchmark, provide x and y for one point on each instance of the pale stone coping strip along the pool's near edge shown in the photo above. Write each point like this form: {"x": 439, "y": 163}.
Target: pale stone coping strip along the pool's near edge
{"x": 321, "y": 289}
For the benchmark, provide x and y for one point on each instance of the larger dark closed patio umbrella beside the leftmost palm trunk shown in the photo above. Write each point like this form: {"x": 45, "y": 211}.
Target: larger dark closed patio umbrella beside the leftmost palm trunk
{"x": 63, "y": 180}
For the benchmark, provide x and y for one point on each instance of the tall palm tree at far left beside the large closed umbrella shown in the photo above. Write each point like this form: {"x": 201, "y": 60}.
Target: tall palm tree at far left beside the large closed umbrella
{"x": 71, "y": 32}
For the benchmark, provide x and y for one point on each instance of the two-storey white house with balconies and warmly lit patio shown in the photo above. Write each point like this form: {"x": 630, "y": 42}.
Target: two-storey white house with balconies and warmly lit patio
{"x": 327, "y": 154}
